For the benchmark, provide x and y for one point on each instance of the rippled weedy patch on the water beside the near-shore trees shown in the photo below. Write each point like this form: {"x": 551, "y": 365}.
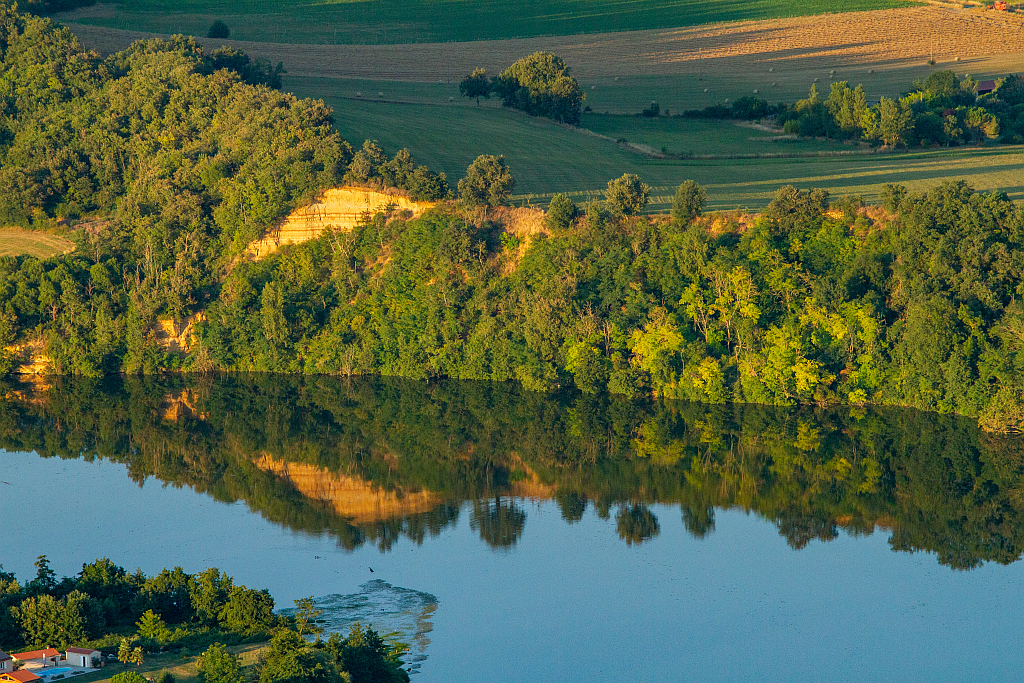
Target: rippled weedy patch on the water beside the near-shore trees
{"x": 392, "y": 611}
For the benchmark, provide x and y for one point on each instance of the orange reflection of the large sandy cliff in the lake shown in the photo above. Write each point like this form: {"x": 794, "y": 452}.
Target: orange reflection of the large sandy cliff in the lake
{"x": 351, "y": 497}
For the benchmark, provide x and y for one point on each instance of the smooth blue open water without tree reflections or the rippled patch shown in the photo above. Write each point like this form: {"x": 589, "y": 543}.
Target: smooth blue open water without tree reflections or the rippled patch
{"x": 570, "y": 603}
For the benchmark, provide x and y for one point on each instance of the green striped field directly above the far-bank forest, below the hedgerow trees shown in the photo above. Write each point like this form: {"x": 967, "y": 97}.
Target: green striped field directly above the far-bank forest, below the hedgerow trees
{"x": 547, "y": 158}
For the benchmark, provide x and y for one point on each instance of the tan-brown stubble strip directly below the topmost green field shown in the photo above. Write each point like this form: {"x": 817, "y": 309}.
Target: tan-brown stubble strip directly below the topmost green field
{"x": 988, "y": 41}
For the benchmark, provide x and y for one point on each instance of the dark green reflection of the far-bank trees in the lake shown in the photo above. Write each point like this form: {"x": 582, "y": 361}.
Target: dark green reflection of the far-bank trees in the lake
{"x": 936, "y": 483}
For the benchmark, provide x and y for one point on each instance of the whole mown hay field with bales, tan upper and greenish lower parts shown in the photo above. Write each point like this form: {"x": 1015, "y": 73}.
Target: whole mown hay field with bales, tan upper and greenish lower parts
{"x": 682, "y": 68}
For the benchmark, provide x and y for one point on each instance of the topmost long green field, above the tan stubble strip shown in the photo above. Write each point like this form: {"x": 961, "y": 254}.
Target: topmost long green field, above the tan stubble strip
{"x": 444, "y": 21}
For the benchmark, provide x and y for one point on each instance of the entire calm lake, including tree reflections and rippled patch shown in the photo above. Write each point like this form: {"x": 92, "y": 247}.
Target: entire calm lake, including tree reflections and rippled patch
{"x": 518, "y": 537}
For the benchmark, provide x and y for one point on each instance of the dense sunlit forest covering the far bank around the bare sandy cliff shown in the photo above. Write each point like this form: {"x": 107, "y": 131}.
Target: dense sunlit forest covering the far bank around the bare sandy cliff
{"x": 170, "y": 164}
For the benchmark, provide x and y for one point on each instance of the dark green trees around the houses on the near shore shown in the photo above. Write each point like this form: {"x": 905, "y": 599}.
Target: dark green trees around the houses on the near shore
{"x": 106, "y": 607}
